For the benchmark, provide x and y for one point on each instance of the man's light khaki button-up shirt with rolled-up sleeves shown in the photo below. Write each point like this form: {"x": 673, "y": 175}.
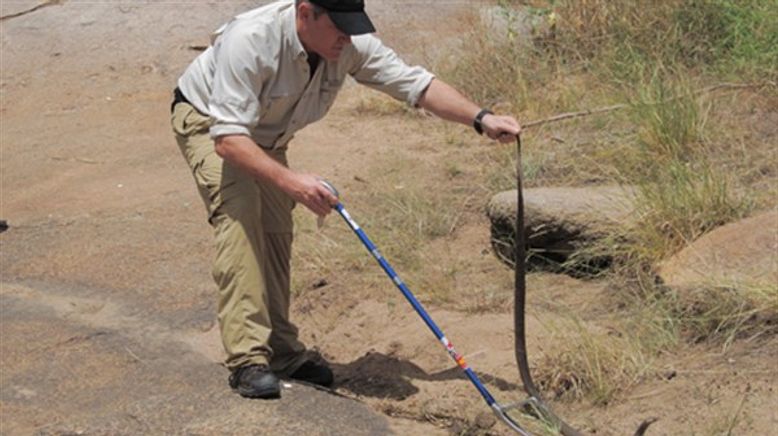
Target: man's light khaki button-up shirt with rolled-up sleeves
{"x": 254, "y": 78}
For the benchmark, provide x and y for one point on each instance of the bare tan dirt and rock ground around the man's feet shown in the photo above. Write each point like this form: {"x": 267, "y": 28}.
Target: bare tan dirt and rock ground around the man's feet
{"x": 107, "y": 308}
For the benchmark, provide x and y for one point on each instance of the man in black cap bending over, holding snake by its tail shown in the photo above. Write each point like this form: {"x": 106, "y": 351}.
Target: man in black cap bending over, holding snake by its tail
{"x": 268, "y": 73}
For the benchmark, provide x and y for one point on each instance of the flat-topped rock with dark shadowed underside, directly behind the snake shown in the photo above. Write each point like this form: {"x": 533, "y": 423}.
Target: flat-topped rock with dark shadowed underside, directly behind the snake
{"x": 559, "y": 221}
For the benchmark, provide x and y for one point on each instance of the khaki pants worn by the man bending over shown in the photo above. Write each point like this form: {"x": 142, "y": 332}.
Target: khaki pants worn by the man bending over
{"x": 252, "y": 222}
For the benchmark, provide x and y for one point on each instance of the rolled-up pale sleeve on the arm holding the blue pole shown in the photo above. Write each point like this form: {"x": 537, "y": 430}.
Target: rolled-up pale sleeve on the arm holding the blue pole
{"x": 237, "y": 82}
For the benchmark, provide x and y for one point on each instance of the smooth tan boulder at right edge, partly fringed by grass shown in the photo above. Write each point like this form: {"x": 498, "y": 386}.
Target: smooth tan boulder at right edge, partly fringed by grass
{"x": 739, "y": 254}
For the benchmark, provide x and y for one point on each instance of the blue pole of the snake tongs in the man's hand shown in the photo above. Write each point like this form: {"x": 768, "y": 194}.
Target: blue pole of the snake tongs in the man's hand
{"x": 415, "y": 303}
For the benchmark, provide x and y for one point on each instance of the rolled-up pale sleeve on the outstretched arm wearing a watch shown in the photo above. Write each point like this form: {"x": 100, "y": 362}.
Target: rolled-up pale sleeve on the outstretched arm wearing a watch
{"x": 379, "y": 67}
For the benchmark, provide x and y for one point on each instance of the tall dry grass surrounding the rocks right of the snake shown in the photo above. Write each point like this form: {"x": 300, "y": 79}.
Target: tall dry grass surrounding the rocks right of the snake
{"x": 696, "y": 164}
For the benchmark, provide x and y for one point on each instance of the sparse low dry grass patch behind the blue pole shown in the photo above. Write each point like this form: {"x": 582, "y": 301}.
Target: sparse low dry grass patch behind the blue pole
{"x": 401, "y": 216}
